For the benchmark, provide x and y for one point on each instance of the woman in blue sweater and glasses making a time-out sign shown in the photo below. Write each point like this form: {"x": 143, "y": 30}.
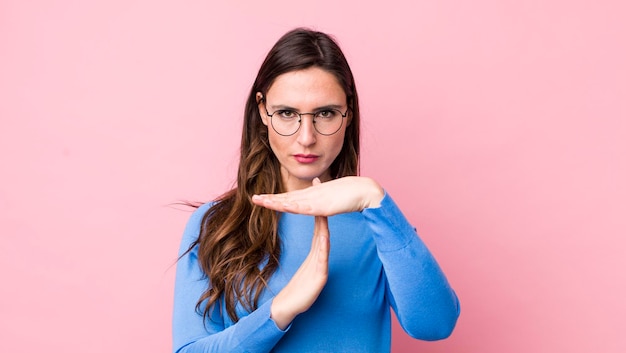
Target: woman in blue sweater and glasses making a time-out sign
{"x": 257, "y": 271}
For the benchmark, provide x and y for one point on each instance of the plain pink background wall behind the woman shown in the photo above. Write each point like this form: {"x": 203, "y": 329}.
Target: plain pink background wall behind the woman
{"x": 498, "y": 126}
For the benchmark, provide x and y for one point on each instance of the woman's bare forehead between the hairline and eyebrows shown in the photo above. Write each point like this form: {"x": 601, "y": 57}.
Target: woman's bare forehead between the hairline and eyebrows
{"x": 312, "y": 86}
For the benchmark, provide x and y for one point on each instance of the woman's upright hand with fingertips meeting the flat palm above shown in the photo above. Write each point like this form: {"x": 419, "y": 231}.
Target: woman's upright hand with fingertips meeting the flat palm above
{"x": 308, "y": 281}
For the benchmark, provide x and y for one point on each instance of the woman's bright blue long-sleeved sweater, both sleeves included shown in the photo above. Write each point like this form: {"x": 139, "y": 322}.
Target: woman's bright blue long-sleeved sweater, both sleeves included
{"x": 376, "y": 261}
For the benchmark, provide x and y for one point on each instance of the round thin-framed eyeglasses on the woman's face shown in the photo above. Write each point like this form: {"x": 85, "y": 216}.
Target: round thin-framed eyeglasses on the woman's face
{"x": 286, "y": 122}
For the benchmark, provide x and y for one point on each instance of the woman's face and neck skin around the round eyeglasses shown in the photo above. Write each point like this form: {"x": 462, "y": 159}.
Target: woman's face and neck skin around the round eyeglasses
{"x": 306, "y": 154}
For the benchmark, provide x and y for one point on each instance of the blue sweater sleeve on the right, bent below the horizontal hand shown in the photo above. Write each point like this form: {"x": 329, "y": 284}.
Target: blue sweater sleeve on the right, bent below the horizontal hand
{"x": 417, "y": 289}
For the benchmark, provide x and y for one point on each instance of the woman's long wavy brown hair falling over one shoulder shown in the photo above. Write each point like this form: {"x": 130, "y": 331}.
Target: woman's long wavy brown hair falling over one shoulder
{"x": 238, "y": 245}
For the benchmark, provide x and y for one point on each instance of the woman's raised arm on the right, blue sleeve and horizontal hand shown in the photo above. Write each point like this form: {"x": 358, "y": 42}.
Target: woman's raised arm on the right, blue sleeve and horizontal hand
{"x": 418, "y": 290}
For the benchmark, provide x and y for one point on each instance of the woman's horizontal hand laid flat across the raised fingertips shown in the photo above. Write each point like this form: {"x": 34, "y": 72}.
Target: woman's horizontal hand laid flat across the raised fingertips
{"x": 343, "y": 195}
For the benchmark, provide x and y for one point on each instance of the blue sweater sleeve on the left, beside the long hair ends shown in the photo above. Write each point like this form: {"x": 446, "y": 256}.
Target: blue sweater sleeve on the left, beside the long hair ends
{"x": 255, "y": 332}
